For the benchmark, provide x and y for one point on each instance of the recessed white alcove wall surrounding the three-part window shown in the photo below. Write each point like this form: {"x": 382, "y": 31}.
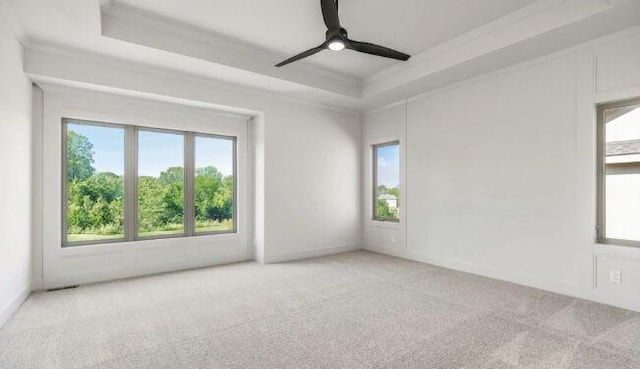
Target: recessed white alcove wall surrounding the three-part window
{"x": 84, "y": 264}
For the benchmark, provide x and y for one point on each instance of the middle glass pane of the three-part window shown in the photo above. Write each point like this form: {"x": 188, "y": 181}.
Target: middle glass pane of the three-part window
{"x": 160, "y": 184}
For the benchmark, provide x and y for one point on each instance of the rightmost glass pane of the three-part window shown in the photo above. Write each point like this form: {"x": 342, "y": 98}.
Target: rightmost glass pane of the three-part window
{"x": 214, "y": 184}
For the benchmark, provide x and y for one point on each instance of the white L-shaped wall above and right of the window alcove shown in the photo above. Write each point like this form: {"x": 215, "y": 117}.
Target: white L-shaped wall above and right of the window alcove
{"x": 310, "y": 154}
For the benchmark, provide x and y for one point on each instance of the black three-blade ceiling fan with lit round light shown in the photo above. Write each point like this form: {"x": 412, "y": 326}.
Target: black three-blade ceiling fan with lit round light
{"x": 337, "y": 39}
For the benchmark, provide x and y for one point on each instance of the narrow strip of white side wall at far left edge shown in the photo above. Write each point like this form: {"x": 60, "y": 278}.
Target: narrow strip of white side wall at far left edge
{"x": 15, "y": 180}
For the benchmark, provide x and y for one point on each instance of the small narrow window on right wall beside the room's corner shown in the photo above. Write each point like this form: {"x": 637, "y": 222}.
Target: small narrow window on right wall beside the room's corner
{"x": 387, "y": 181}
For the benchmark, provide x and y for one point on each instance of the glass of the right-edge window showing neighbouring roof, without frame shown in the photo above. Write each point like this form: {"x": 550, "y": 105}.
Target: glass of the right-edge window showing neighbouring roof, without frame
{"x": 622, "y": 196}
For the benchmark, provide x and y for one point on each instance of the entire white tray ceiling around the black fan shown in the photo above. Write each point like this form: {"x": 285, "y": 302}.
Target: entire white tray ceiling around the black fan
{"x": 238, "y": 41}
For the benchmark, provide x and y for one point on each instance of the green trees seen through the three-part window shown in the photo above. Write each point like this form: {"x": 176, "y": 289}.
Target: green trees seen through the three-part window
{"x": 95, "y": 201}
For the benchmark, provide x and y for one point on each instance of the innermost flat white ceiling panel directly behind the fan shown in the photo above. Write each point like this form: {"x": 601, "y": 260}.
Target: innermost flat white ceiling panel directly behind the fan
{"x": 288, "y": 27}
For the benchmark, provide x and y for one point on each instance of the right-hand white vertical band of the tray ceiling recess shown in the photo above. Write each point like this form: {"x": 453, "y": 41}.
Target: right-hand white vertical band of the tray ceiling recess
{"x": 531, "y": 21}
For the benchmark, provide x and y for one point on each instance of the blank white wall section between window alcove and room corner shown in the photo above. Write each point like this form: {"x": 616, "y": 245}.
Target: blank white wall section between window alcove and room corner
{"x": 312, "y": 182}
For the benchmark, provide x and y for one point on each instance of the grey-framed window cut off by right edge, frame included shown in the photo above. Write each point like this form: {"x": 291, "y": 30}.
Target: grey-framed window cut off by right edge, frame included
{"x": 619, "y": 173}
